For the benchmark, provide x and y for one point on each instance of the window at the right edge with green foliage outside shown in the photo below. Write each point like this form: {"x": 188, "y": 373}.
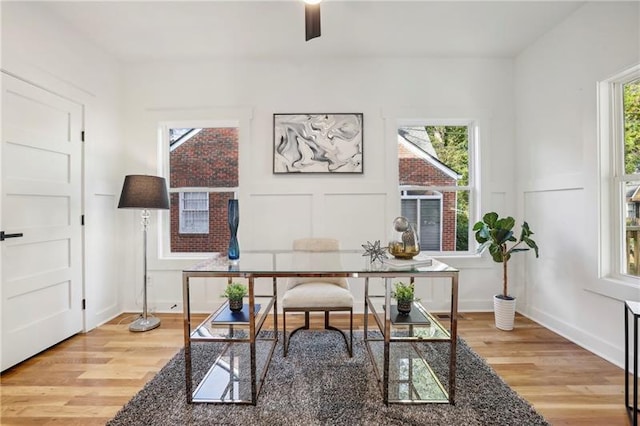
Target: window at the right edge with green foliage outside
{"x": 619, "y": 119}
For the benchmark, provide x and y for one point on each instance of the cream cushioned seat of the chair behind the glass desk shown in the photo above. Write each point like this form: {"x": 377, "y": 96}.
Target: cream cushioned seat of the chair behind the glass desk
{"x": 317, "y": 295}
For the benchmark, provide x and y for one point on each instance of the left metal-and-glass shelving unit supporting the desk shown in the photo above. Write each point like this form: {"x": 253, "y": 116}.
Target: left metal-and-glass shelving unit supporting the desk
{"x": 235, "y": 351}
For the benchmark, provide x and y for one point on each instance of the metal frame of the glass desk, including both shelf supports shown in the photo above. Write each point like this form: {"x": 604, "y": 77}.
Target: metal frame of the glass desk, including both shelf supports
{"x": 220, "y": 267}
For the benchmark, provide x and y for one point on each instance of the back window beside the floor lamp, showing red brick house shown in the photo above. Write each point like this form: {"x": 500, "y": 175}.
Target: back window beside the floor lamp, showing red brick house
{"x": 202, "y": 171}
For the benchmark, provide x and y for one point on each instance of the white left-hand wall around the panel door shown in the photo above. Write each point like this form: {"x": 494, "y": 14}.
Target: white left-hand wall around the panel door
{"x": 40, "y": 49}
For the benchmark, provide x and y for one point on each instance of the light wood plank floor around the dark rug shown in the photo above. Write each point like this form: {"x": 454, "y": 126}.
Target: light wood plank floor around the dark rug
{"x": 86, "y": 379}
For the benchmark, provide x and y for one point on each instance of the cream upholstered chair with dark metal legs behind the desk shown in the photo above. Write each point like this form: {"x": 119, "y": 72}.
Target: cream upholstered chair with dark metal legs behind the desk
{"x": 317, "y": 294}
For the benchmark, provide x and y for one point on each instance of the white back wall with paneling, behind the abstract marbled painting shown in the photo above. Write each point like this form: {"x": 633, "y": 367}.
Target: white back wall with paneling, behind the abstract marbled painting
{"x": 355, "y": 208}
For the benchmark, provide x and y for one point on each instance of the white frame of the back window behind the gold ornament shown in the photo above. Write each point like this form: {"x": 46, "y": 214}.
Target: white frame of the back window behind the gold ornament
{"x": 473, "y": 186}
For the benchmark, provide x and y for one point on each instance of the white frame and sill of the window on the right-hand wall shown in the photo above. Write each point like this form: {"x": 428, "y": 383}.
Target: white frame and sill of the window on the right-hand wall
{"x": 612, "y": 281}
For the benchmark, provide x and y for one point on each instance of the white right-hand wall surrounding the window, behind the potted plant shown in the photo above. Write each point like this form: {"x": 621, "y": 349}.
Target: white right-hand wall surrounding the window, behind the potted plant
{"x": 558, "y": 169}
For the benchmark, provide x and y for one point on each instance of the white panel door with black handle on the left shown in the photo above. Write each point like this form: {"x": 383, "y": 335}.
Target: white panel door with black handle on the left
{"x": 41, "y": 199}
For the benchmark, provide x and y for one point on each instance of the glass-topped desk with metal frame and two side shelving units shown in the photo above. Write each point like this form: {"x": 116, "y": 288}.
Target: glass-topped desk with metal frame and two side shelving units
{"x": 242, "y": 350}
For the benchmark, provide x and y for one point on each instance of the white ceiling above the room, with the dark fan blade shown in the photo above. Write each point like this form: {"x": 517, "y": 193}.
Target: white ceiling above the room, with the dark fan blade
{"x": 140, "y": 31}
